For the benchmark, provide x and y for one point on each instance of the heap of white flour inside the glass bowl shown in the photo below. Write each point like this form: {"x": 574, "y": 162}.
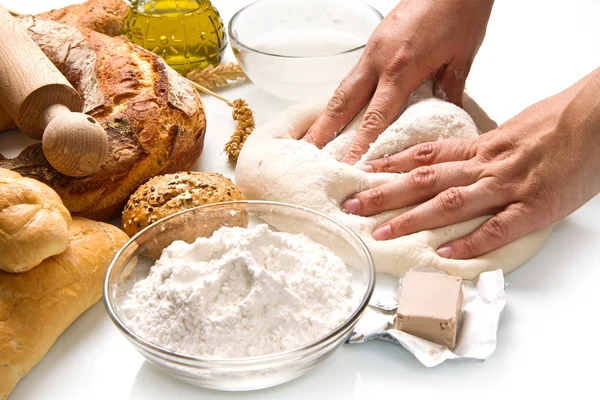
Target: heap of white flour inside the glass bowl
{"x": 241, "y": 293}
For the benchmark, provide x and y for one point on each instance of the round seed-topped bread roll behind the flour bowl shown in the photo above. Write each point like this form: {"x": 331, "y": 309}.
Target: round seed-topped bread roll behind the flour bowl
{"x": 168, "y": 194}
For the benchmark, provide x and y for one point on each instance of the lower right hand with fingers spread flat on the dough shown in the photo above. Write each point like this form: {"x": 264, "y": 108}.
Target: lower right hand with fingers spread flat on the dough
{"x": 532, "y": 171}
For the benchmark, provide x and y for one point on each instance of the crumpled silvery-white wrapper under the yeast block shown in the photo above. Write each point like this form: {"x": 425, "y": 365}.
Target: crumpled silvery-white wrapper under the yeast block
{"x": 483, "y": 304}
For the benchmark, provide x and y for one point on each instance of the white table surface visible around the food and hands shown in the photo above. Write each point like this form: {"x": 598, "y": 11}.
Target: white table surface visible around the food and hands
{"x": 548, "y": 338}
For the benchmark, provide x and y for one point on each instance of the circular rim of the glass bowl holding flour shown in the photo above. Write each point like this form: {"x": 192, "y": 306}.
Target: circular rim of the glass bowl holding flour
{"x": 272, "y": 357}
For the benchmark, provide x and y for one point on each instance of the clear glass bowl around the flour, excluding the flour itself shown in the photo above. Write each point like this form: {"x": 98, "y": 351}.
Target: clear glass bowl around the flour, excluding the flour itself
{"x": 134, "y": 259}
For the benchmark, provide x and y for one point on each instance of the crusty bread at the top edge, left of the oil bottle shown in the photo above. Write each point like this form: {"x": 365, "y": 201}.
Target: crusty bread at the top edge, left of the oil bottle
{"x": 104, "y": 16}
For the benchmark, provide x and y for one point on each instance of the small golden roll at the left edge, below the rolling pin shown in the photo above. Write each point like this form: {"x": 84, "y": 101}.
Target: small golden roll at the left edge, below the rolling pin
{"x": 34, "y": 223}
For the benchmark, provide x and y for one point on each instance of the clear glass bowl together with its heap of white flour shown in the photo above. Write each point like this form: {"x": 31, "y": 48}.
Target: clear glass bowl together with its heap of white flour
{"x": 239, "y": 295}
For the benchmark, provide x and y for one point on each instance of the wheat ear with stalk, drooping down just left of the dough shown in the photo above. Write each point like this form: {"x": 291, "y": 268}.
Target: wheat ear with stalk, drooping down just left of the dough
{"x": 244, "y": 118}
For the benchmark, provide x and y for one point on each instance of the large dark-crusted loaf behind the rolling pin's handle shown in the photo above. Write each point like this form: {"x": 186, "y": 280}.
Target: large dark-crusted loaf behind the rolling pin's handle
{"x": 154, "y": 119}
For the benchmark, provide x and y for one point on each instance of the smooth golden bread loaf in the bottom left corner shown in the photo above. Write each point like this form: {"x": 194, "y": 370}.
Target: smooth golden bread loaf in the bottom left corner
{"x": 38, "y": 305}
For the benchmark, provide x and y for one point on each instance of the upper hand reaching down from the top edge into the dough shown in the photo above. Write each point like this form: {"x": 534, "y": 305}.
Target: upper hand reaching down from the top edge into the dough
{"x": 418, "y": 40}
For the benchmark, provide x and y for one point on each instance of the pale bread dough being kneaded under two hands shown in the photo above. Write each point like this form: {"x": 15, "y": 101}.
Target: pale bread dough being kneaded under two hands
{"x": 274, "y": 165}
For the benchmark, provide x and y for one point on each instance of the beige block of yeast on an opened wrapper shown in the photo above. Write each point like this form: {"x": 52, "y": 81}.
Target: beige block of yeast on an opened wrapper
{"x": 430, "y": 306}
